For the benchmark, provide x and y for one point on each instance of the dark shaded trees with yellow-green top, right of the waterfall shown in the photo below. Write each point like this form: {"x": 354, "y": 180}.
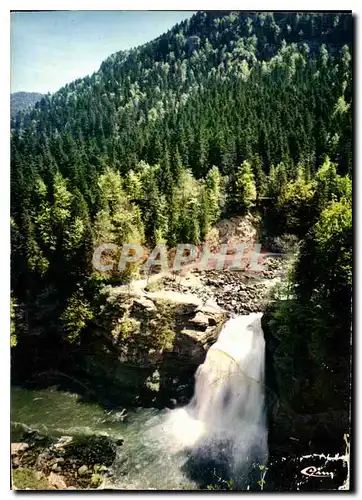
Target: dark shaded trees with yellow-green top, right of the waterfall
{"x": 312, "y": 317}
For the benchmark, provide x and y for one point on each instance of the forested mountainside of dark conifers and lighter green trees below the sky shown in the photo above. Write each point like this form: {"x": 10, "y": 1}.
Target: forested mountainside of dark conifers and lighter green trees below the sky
{"x": 220, "y": 112}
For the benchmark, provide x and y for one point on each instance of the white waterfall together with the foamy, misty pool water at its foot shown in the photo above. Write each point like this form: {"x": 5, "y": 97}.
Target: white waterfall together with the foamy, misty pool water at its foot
{"x": 221, "y": 434}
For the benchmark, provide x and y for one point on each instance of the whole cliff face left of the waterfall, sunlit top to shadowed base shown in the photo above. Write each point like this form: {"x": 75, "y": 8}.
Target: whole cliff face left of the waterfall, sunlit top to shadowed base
{"x": 149, "y": 349}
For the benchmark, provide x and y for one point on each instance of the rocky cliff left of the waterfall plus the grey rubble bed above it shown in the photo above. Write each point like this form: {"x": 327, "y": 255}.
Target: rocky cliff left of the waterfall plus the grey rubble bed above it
{"x": 148, "y": 344}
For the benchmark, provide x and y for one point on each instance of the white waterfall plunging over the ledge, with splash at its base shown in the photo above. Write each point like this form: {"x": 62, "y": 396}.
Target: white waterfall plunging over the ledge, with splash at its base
{"x": 224, "y": 424}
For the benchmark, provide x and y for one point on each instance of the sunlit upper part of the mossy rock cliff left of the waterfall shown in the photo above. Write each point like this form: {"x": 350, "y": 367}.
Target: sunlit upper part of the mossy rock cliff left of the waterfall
{"x": 143, "y": 330}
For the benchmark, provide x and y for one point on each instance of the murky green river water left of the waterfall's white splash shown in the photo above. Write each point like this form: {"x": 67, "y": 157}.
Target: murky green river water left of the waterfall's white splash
{"x": 55, "y": 413}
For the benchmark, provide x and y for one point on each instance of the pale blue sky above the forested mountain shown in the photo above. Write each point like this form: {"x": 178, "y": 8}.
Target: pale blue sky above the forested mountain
{"x": 50, "y": 49}
